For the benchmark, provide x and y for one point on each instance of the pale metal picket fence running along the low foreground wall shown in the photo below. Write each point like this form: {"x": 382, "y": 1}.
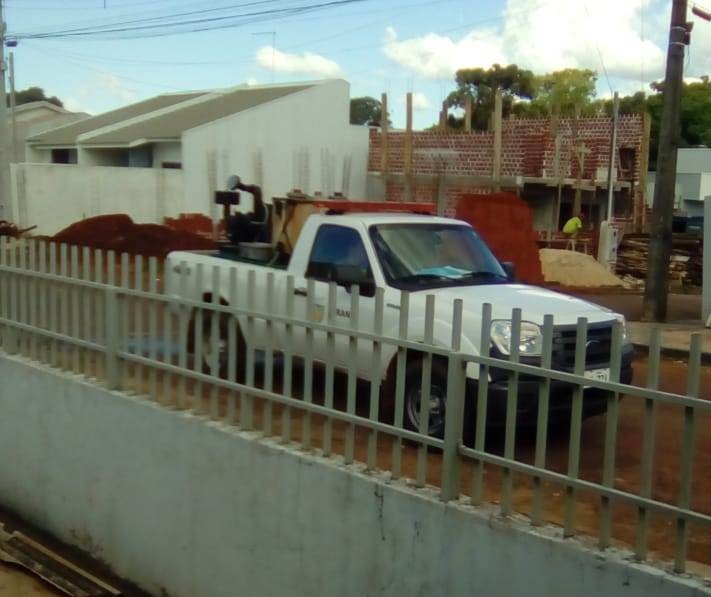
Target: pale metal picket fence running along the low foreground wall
{"x": 105, "y": 317}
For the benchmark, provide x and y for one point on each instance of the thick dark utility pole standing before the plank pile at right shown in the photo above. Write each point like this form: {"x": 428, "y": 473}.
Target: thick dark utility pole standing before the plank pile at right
{"x": 657, "y": 283}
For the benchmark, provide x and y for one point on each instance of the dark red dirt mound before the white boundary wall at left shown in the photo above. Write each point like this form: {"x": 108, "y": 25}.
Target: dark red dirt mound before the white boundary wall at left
{"x": 118, "y": 232}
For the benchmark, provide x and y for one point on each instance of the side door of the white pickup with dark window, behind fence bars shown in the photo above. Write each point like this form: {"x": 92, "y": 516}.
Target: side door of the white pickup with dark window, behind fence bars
{"x": 336, "y": 246}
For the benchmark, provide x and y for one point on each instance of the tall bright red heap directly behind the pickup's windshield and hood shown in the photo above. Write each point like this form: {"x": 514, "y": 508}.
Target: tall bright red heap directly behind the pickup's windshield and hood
{"x": 505, "y": 222}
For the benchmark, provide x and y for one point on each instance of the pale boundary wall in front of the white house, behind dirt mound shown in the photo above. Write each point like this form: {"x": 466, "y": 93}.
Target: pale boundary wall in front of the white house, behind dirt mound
{"x": 52, "y": 196}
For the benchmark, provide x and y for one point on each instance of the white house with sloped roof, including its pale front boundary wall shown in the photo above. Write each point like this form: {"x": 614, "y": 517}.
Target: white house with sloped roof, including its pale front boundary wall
{"x": 166, "y": 155}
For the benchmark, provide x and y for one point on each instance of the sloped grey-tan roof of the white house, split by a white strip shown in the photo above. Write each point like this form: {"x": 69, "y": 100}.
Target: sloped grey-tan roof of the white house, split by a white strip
{"x": 164, "y": 117}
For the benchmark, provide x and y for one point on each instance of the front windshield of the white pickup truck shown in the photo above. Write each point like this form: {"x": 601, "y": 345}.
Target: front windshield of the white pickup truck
{"x": 421, "y": 256}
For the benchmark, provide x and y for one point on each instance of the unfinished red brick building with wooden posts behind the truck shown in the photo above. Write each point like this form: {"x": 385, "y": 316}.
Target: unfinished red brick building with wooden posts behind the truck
{"x": 558, "y": 166}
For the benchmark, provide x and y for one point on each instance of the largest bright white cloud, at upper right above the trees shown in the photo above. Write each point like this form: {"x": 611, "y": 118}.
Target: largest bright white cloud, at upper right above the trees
{"x": 545, "y": 37}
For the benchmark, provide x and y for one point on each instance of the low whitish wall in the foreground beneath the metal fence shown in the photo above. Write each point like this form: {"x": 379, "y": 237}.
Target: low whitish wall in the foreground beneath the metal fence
{"x": 189, "y": 508}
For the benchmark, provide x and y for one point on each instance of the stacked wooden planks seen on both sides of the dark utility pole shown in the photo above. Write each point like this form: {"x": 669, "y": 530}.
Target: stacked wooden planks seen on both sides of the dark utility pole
{"x": 685, "y": 266}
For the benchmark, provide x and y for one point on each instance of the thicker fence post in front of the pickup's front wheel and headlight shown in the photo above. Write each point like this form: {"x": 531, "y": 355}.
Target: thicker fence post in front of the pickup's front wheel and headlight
{"x": 454, "y": 414}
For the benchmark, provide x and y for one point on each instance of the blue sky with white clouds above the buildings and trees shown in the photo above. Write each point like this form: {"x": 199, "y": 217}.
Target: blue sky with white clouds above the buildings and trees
{"x": 391, "y": 46}
